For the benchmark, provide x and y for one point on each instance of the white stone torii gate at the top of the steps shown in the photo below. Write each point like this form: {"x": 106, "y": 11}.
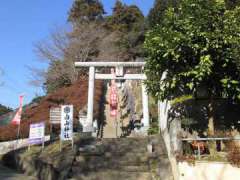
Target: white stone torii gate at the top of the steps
{"x": 119, "y": 76}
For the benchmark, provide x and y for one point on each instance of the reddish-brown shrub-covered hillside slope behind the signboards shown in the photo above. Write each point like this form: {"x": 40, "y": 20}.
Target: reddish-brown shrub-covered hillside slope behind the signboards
{"x": 75, "y": 94}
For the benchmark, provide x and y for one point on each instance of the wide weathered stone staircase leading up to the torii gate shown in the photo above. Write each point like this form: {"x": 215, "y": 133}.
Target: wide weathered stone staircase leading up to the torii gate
{"x": 121, "y": 159}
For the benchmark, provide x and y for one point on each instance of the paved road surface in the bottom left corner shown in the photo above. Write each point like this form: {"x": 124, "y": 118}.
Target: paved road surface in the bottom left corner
{"x": 9, "y": 174}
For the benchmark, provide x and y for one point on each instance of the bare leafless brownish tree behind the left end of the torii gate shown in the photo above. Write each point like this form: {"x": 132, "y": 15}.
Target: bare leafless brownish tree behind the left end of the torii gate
{"x": 62, "y": 49}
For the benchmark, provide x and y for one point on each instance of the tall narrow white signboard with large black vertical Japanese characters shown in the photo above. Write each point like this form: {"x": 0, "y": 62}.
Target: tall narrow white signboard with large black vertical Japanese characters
{"x": 66, "y": 122}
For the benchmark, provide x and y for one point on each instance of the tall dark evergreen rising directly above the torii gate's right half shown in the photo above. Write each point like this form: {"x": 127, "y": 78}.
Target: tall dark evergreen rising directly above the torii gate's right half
{"x": 129, "y": 22}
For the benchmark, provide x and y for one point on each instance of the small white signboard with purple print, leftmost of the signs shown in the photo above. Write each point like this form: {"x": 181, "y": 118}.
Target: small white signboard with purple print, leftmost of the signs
{"x": 36, "y": 133}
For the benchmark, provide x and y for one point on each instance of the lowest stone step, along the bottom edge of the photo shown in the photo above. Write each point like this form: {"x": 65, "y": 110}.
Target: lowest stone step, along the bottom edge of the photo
{"x": 113, "y": 175}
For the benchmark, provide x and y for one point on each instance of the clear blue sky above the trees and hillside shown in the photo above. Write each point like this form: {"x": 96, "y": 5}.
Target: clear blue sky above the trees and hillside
{"x": 23, "y": 23}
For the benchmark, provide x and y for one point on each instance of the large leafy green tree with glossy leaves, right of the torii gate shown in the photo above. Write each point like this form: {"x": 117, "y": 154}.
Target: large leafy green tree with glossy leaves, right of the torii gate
{"x": 197, "y": 46}
